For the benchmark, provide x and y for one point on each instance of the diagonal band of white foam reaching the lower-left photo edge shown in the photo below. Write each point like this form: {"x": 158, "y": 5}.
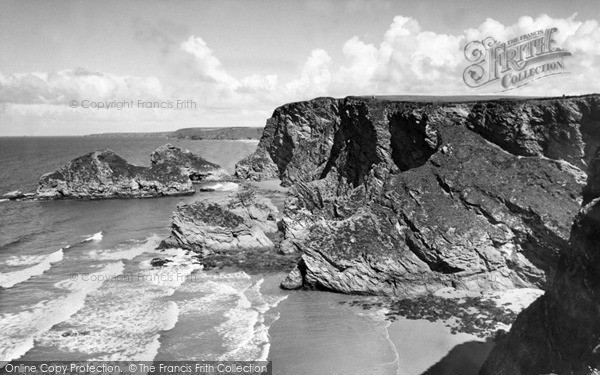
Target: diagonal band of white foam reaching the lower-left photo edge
{"x": 19, "y": 330}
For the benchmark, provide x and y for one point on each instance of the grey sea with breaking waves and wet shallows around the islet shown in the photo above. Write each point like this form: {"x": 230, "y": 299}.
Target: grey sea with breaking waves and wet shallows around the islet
{"x": 76, "y": 283}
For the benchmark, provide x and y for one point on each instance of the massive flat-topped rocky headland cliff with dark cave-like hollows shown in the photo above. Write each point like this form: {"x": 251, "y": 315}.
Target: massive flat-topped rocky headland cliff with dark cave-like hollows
{"x": 399, "y": 198}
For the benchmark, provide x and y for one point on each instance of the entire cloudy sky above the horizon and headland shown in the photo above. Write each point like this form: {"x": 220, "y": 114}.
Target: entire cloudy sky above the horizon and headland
{"x": 238, "y": 60}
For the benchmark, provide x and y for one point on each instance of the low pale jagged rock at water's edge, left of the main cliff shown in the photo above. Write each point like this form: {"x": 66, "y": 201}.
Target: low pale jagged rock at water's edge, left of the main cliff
{"x": 207, "y": 227}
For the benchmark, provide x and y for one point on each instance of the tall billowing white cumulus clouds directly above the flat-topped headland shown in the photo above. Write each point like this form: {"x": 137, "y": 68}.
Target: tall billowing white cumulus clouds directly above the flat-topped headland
{"x": 410, "y": 60}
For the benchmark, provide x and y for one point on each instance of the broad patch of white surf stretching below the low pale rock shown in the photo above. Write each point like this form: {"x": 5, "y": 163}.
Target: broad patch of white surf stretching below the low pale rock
{"x": 124, "y": 320}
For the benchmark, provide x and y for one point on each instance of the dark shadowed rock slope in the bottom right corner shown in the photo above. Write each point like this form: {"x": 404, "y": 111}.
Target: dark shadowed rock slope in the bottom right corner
{"x": 560, "y": 332}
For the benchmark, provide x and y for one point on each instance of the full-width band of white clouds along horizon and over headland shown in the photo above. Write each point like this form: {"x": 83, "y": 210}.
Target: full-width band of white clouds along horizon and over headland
{"x": 407, "y": 60}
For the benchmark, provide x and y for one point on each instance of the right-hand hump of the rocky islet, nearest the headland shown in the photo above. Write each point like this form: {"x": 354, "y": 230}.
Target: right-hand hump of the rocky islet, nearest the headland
{"x": 197, "y": 168}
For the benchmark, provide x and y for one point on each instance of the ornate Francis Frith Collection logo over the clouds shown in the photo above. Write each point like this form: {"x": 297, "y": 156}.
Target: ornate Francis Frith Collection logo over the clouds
{"x": 516, "y": 62}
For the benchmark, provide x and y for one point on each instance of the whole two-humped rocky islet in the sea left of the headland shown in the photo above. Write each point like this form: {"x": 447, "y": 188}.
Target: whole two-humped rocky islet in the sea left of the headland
{"x": 103, "y": 174}
